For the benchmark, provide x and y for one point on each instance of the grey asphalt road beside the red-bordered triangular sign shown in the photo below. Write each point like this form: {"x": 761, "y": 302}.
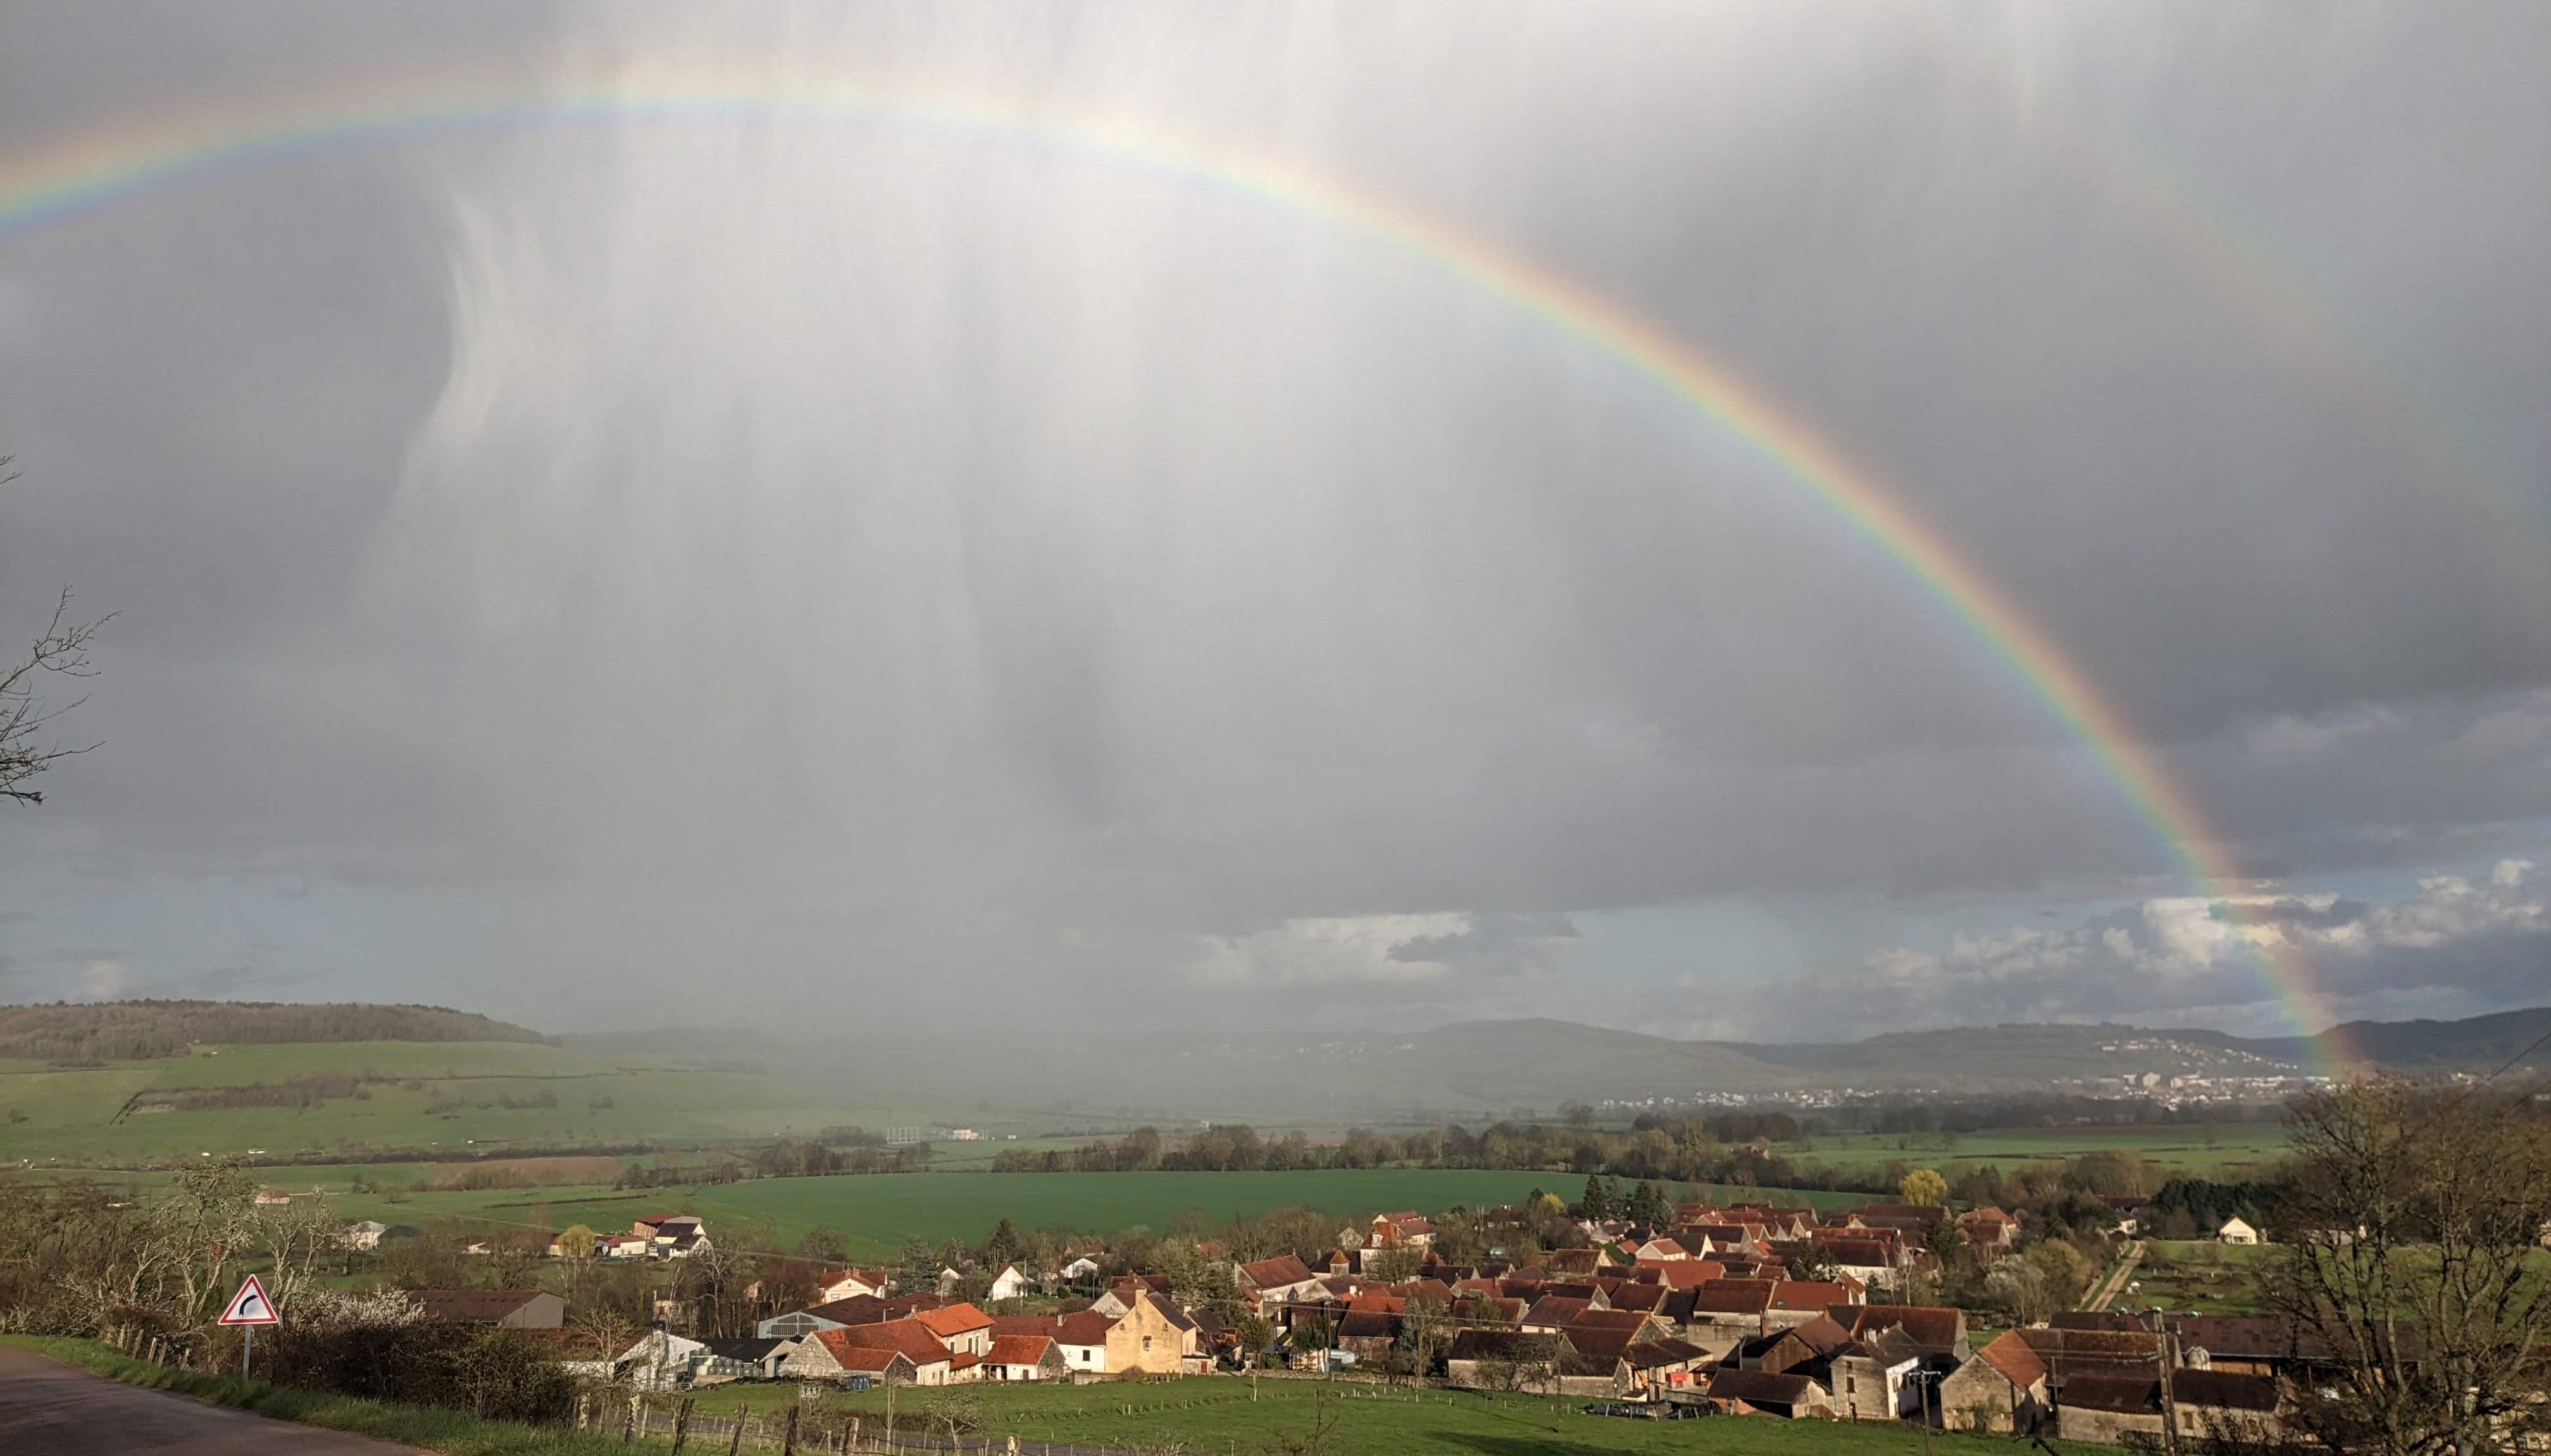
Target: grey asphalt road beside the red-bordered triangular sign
{"x": 50, "y": 1409}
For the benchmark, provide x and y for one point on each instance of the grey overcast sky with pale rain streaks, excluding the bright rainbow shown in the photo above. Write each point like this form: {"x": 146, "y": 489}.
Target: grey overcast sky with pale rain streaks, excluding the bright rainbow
{"x": 856, "y": 570}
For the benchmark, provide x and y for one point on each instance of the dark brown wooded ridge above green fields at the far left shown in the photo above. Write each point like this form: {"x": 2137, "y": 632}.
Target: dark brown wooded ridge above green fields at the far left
{"x": 139, "y": 1031}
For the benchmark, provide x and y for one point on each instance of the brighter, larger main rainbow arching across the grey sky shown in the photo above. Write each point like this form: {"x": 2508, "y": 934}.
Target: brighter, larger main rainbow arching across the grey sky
{"x": 96, "y": 170}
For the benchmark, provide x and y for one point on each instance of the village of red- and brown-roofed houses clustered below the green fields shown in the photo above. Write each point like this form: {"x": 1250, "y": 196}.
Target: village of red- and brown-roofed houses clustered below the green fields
{"x": 1741, "y": 1309}
